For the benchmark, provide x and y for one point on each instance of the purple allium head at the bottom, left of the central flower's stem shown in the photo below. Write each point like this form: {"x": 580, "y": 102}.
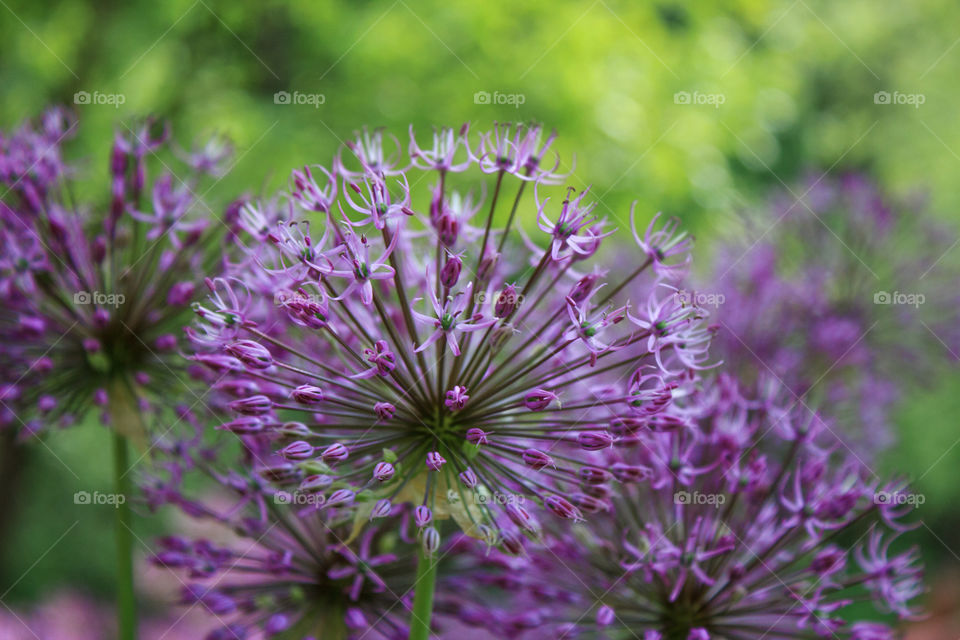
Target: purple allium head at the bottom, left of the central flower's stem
{"x": 281, "y": 555}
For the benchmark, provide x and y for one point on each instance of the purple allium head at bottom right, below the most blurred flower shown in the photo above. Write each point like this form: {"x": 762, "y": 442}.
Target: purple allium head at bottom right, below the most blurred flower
{"x": 722, "y": 517}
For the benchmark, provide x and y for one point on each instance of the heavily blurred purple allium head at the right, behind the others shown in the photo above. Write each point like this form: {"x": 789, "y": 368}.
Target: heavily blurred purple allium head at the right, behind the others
{"x": 842, "y": 288}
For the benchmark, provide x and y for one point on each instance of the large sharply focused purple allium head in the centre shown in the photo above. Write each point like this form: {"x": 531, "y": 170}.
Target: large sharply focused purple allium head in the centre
{"x": 452, "y": 366}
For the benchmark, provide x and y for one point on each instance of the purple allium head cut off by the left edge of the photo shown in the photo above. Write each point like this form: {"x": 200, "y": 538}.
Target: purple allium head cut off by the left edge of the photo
{"x": 95, "y": 295}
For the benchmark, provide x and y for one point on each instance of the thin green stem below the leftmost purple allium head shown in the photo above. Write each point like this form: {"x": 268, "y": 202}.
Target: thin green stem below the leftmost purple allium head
{"x": 126, "y": 602}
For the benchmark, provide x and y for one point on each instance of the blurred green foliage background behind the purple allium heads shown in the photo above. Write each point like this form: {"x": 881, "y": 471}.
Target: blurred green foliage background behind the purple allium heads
{"x": 695, "y": 109}
